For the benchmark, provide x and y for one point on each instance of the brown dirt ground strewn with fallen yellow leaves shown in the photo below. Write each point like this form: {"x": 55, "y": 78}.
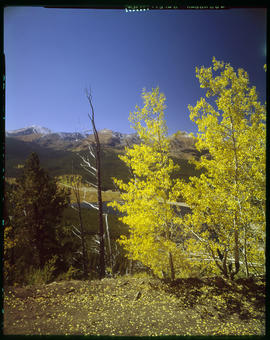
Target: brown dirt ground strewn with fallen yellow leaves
{"x": 131, "y": 306}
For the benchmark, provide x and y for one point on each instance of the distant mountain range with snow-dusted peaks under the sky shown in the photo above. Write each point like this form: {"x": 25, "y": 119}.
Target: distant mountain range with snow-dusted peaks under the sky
{"x": 58, "y": 152}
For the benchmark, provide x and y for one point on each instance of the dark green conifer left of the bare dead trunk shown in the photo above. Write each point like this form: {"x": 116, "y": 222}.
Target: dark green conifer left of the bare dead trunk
{"x": 38, "y": 211}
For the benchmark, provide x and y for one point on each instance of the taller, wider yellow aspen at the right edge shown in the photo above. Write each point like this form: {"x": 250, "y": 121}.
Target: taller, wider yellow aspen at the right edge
{"x": 227, "y": 221}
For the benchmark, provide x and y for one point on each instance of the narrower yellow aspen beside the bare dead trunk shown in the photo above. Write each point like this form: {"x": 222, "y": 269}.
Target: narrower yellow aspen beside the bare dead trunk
{"x": 146, "y": 197}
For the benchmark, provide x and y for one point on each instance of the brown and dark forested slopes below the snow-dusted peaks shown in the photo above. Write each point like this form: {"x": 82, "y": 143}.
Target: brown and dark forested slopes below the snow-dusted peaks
{"x": 56, "y": 157}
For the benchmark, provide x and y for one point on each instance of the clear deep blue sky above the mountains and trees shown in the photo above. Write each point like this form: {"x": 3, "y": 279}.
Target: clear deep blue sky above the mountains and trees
{"x": 52, "y": 55}
